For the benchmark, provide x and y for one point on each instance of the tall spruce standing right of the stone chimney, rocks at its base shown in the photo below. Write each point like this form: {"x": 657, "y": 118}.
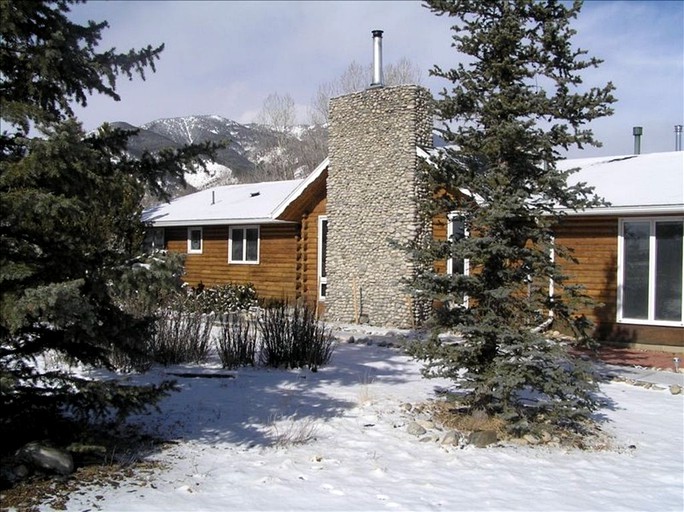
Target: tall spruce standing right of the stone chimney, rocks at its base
{"x": 511, "y": 108}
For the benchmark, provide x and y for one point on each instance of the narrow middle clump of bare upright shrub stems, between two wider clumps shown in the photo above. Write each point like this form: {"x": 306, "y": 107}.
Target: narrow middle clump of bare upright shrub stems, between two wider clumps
{"x": 236, "y": 343}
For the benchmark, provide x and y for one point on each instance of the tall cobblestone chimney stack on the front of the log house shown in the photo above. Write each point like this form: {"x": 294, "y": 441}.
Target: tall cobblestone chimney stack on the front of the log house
{"x": 372, "y": 201}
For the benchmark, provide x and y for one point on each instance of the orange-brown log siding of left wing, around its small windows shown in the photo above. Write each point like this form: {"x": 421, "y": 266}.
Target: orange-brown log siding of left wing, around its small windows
{"x": 274, "y": 277}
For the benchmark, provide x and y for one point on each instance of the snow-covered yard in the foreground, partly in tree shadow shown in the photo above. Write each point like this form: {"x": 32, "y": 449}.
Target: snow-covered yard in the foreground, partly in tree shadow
{"x": 236, "y": 447}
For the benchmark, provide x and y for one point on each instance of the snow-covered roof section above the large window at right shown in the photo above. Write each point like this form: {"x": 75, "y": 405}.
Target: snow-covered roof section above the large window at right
{"x": 633, "y": 184}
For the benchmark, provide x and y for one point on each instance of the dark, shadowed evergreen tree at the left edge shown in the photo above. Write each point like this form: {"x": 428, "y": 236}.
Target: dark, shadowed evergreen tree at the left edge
{"x": 70, "y": 230}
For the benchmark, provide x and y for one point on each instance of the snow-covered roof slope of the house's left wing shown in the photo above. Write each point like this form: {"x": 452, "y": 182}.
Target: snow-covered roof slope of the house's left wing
{"x": 251, "y": 203}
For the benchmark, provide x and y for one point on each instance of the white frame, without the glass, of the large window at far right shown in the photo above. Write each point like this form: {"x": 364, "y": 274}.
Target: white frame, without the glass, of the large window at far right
{"x": 651, "y": 273}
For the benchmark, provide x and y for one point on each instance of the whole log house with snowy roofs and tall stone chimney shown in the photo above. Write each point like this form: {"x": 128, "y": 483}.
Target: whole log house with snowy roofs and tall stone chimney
{"x": 327, "y": 239}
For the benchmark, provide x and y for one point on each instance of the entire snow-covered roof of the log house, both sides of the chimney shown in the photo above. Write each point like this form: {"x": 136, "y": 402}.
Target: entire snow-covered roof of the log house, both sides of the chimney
{"x": 633, "y": 184}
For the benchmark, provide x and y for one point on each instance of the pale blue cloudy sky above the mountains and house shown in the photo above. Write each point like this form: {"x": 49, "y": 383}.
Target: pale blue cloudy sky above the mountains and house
{"x": 225, "y": 58}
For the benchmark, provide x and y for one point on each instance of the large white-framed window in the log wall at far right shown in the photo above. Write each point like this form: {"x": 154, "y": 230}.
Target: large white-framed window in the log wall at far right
{"x": 650, "y": 277}
